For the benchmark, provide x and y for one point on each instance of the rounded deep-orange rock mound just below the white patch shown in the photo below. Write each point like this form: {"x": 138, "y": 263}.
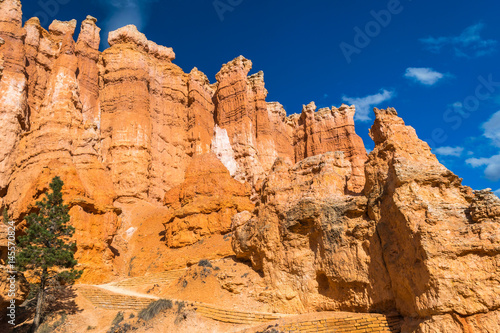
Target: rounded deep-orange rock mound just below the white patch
{"x": 204, "y": 203}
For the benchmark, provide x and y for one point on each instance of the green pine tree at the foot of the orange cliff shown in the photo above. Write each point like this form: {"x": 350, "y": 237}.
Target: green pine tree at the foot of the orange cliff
{"x": 46, "y": 250}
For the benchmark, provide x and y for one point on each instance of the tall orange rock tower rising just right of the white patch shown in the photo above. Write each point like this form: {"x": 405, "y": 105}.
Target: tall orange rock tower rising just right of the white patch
{"x": 242, "y": 111}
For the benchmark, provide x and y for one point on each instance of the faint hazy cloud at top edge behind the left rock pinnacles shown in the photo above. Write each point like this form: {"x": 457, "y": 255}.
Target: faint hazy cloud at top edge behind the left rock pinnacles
{"x": 125, "y": 12}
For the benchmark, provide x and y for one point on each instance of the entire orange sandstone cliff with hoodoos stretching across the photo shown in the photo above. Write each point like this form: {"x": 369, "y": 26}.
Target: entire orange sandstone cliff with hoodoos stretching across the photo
{"x": 162, "y": 168}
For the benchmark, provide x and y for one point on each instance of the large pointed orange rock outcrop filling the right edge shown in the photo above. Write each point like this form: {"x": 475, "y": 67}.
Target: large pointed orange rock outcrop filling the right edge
{"x": 441, "y": 240}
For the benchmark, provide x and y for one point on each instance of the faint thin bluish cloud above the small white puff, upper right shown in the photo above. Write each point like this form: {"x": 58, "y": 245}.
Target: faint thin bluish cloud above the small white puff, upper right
{"x": 468, "y": 44}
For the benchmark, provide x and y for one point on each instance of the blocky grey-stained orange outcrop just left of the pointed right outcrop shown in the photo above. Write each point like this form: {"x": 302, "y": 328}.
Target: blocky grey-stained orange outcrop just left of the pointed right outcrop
{"x": 315, "y": 246}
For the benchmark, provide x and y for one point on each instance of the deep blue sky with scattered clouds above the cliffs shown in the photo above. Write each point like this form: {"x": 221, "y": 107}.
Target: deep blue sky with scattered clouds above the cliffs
{"x": 436, "y": 62}
